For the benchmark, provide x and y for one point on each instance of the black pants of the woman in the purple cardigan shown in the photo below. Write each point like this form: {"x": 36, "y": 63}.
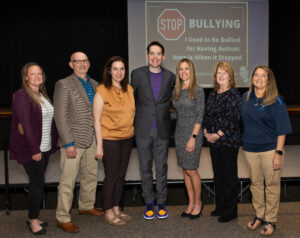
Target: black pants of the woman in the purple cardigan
{"x": 36, "y": 173}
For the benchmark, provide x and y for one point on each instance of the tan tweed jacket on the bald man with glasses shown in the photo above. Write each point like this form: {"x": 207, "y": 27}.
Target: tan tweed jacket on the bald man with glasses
{"x": 73, "y": 113}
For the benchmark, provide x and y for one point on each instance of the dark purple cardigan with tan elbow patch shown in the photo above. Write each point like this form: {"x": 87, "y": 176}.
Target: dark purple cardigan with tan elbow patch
{"x": 26, "y": 112}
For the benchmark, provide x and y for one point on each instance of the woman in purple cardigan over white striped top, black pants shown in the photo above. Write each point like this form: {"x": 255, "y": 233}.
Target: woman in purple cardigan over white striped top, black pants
{"x": 33, "y": 137}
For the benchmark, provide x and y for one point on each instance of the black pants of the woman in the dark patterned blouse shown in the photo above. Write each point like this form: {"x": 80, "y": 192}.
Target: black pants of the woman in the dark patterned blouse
{"x": 224, "y": 161}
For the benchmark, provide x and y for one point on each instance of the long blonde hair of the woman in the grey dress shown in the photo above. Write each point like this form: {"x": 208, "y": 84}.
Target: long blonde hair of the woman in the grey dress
{"x": 192, "y": 84}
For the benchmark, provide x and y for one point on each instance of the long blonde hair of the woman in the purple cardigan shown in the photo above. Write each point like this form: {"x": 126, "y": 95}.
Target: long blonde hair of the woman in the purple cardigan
{"x": 34, "y": 96}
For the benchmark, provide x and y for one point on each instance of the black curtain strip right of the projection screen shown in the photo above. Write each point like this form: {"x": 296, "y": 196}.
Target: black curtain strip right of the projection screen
{"x": 284, "y": 40}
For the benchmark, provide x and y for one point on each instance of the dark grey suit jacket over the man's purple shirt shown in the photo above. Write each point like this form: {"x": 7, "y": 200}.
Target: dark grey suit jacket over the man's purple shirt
{"x": 147, "y": 107}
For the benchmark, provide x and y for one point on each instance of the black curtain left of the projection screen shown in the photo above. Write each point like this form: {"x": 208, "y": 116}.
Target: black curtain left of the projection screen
{"x": 47, "y": 32}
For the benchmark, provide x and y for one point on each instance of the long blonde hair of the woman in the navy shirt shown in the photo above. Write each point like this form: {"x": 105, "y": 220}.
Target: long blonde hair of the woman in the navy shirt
{"x": 271, "y": 93}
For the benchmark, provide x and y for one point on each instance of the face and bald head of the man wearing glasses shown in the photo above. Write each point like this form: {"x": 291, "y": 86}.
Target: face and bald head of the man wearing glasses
{"x": 80, "y": 64}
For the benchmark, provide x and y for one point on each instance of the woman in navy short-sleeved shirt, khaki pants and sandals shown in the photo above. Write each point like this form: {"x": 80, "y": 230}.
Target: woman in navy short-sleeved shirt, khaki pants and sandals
{"x": 266, "y": 123}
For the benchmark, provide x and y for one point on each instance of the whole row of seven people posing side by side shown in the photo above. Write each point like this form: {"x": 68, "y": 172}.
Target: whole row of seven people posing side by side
{"x": 91, "y": 122}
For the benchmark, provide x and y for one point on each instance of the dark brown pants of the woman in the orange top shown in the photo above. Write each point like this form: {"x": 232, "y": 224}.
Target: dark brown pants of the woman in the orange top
{"x": 115, "y": 161}
